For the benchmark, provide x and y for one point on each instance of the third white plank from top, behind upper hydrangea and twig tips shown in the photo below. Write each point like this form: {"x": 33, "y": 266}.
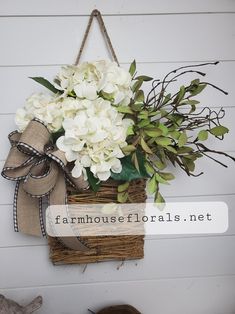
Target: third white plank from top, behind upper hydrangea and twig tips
{"x": 17, "y": 78}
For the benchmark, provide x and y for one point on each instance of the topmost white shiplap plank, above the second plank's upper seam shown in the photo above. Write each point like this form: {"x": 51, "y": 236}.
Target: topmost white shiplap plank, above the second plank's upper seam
{"x": 70, "y": 7}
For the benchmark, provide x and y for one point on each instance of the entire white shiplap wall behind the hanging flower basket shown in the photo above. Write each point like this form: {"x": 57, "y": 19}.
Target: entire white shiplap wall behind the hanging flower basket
{"x": 180, "y": 274}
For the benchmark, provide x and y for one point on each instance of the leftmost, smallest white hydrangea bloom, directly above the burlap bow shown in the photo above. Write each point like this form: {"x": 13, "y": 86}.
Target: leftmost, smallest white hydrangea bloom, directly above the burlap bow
{"x": 44, "y": 107}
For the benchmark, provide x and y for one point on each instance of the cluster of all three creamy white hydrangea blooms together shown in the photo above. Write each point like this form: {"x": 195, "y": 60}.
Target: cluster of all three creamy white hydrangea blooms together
{"x": 85, "y": 108}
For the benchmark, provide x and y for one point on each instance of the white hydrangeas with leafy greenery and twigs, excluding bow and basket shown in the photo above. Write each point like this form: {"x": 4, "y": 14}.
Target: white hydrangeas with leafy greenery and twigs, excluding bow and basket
{"x": 99, "y": 116}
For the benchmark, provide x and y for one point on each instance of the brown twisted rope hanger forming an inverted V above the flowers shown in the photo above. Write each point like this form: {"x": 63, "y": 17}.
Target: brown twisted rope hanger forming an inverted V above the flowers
{"x": 95, "y": 13}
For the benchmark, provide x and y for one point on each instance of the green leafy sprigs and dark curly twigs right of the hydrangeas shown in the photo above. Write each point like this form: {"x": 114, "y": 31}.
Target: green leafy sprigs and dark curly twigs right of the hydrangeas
{"x": 168, "y": 128}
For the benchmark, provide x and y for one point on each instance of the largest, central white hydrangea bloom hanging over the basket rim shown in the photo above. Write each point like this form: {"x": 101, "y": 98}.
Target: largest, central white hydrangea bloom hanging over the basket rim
{"x": 94, "y": 138}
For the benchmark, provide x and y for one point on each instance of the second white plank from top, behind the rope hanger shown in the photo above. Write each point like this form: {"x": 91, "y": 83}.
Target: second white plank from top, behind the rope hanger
{"x": 64, "y": 35}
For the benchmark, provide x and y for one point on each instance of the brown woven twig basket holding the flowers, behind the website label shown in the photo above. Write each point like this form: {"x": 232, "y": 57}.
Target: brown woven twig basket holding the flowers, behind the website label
{"x": 102, "y": 247}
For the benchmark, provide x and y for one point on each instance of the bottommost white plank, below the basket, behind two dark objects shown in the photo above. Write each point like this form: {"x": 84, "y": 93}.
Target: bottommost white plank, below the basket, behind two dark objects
{"x": 216, "y": 295}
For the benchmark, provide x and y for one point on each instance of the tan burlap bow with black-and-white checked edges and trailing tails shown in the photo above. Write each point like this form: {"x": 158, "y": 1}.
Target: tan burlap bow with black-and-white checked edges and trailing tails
{"x": 39, "y": 170}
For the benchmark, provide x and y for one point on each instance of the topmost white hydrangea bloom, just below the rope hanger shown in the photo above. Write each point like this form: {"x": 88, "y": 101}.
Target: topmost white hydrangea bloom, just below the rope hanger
{"x": 91, "y": 80}
